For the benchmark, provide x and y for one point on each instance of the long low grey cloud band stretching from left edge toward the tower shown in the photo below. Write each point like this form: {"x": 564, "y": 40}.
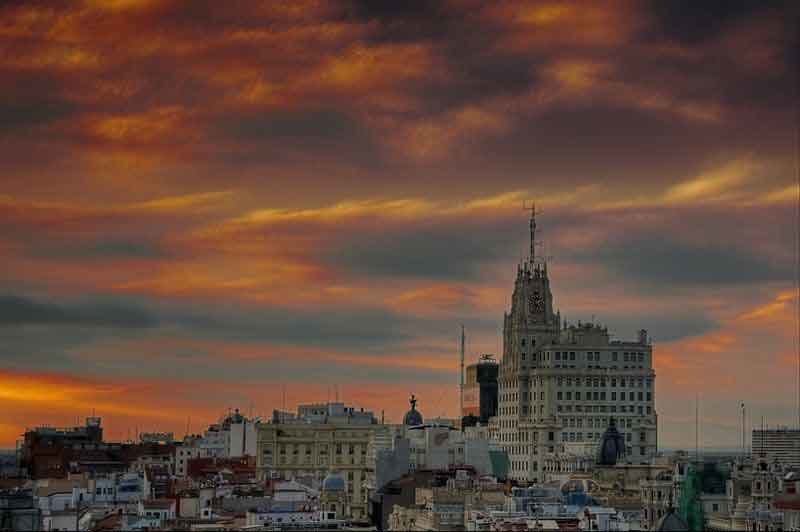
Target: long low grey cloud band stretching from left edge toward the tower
{"x": 351, "y": 328}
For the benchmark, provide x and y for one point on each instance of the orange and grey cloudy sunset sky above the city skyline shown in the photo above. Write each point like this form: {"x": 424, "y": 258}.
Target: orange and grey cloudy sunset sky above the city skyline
{"x": 202, "y": 201}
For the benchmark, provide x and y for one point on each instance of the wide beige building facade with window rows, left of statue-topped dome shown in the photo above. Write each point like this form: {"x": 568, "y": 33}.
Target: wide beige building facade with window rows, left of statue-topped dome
{"x": 289, "y": 451}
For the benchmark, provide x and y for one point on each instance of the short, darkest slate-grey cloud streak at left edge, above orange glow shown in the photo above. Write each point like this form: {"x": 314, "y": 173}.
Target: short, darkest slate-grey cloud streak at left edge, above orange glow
{"x": 19, "y": 310}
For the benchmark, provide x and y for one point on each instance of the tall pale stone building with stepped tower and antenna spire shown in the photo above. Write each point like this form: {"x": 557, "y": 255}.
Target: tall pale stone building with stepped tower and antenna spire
{"x": 561, "y": 384}
